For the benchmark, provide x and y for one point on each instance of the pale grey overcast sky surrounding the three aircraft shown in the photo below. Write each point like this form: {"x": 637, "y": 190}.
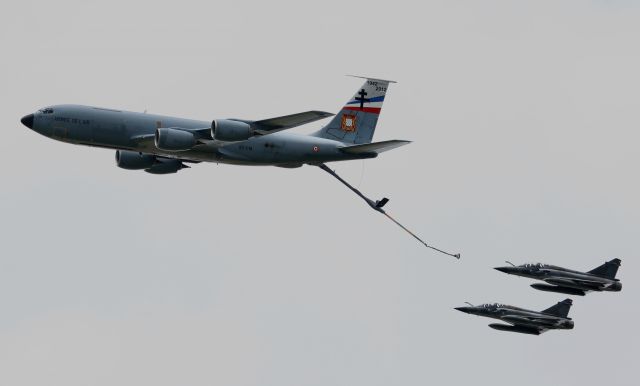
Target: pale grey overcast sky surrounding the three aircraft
{"x": 525, "y": 122}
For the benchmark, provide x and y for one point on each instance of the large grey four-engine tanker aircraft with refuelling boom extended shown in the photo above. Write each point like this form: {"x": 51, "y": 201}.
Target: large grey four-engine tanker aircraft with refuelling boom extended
{"x": 160, "y": 144}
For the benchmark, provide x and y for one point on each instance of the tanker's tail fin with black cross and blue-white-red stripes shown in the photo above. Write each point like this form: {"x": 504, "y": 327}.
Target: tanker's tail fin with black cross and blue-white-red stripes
{"x": 356, "y": 121}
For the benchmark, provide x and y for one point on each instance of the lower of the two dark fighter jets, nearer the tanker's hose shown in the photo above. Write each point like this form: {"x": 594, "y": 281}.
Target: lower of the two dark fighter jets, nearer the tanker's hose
{"x": 525, "y": 321}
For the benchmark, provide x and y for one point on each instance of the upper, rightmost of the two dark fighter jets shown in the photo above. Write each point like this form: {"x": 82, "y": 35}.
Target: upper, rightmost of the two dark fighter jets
{"x": 567, "y": 281}
